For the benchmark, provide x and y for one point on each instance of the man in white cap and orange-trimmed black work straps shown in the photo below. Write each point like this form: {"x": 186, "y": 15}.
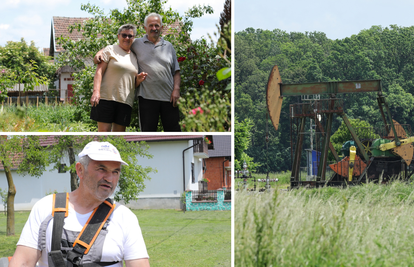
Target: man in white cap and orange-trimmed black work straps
{"x": 87, "y": 228}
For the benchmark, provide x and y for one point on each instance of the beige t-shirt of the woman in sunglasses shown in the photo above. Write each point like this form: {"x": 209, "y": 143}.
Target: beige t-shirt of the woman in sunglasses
{"x": 118, "y": 81}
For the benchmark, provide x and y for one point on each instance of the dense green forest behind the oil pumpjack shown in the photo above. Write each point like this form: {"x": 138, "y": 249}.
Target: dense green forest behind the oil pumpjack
{"x": 375, "y": 53}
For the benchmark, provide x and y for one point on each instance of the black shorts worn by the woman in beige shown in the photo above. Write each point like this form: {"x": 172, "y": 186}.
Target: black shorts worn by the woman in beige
{"x": 112, "y": 112}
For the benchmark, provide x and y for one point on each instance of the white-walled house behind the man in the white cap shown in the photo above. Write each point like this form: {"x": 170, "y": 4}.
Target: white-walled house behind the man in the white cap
{"x": 178, "y": 159}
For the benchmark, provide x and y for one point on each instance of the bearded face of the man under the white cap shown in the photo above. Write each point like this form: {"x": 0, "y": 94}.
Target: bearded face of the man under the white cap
{"x": 101, "y": 178}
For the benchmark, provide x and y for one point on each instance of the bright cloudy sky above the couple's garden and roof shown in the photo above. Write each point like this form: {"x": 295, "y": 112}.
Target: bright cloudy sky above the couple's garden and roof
{"x": 31, "y": 19}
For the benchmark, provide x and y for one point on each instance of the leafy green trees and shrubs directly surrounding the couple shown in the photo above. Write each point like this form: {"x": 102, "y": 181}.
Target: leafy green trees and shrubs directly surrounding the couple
{"x": 199, "y": 61}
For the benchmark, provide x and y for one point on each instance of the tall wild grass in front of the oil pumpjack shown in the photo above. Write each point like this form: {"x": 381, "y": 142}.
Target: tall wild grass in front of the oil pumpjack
{"x": 368, "y": 225}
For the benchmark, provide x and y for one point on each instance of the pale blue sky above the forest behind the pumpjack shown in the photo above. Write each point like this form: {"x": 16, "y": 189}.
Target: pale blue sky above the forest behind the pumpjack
{"x": 337, "y": 19}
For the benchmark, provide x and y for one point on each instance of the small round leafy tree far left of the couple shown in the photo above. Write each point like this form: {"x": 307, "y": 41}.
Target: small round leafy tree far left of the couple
{"x": 24, "y": 64}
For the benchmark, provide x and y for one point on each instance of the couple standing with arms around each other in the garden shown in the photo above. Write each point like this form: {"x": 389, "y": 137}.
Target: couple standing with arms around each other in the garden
{"x": 149, "y": 62}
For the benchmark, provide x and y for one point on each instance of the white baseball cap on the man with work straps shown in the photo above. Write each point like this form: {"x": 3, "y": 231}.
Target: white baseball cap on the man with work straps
{"x": 102, "y": 151}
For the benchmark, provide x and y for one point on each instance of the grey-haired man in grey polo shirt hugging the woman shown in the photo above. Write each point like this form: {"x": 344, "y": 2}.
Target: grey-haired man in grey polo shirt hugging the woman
{"x": 159, "y": 92}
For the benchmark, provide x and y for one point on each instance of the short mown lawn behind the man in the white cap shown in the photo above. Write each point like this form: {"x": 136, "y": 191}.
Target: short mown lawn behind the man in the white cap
{"x": 173, "y": 238}
